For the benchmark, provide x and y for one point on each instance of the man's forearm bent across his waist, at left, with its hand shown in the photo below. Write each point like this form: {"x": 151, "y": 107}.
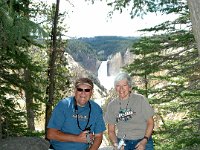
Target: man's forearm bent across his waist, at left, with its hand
{"x": 54, "y": 134}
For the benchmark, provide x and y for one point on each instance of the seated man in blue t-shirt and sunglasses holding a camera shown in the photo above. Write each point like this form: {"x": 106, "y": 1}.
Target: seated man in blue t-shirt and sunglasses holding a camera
{"x": 77, "y": 121}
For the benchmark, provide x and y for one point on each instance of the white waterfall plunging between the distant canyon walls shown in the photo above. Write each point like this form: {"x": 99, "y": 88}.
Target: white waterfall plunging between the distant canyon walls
{"x": 105, "y": 80}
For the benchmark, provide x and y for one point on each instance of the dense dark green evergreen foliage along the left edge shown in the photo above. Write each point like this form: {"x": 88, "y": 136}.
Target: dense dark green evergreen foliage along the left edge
{"x": 17, "y": 34}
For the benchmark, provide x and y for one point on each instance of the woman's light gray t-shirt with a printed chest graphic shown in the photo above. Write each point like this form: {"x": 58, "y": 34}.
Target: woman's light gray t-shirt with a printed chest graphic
{"x": 130, "y": 116}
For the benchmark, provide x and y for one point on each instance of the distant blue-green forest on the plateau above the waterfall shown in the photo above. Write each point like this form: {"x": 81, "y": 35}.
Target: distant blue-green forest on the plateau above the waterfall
{"x": 100, "y": 47}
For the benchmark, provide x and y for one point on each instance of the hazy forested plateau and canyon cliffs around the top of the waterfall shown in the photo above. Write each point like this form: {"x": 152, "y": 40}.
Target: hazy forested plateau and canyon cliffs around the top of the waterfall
{"x": 89, "y": 52}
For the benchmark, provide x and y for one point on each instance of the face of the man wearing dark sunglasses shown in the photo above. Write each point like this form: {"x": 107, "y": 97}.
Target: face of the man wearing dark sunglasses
{"x": 82, "y": 94}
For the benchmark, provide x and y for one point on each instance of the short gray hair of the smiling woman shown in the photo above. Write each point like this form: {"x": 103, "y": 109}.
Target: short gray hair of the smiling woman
{"x": 123, "y": 76}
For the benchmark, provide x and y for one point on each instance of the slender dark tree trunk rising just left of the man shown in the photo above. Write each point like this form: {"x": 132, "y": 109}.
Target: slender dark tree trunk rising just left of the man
{"x": 52, "y": 68}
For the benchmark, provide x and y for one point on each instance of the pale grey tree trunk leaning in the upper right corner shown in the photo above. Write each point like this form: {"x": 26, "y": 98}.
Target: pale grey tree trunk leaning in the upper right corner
{"x": 194, "y": 7}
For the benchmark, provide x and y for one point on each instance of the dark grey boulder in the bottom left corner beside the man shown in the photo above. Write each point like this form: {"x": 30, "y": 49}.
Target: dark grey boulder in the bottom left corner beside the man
{"x": 24, "y": 143}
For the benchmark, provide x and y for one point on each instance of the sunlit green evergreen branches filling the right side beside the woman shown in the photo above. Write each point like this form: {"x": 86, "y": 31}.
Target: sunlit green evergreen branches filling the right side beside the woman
{"x": 166, "y": 70}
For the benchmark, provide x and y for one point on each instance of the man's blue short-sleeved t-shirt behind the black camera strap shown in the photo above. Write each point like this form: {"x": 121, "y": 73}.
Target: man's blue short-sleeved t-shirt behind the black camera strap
{"x": 64, "y": 119}
